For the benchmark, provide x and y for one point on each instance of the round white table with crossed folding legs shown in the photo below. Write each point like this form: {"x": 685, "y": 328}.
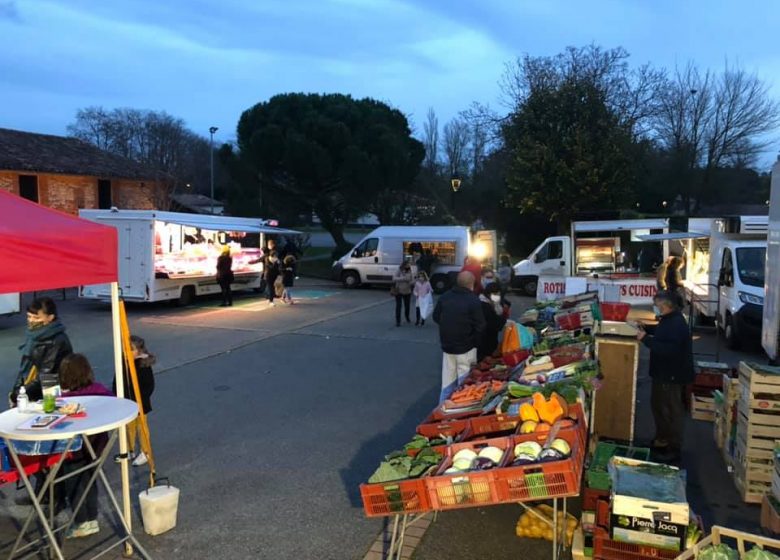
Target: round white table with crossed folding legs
{"x": 104, "y": 414}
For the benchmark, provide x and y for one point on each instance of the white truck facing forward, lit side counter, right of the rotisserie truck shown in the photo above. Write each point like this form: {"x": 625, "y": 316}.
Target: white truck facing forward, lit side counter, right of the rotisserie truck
{"x": 724, "y": 273}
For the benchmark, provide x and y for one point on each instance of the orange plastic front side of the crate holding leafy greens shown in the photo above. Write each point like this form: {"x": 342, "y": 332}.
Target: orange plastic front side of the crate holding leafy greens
{"x": 391, "y": 498}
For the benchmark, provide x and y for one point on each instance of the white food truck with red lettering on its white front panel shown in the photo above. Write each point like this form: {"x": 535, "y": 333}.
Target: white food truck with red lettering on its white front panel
{"x": 608, "y": 256}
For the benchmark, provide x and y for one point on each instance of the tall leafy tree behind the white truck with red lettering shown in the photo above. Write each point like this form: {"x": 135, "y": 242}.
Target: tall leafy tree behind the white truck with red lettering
{"x": 573, "y": 134}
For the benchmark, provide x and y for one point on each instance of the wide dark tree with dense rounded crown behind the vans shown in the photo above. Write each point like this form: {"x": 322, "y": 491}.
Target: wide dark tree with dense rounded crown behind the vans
{"x": 330, "y": 154}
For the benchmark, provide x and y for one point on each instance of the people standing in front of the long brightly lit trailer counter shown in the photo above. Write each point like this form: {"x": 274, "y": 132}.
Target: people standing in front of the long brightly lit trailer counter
{"x": 278, "y": 274}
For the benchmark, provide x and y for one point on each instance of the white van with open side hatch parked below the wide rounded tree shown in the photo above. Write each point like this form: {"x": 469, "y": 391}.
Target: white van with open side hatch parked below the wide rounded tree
{"x": 377, "y": 257}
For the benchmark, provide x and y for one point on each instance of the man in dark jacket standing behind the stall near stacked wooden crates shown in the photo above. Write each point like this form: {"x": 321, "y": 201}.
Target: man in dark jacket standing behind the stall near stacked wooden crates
{"x": 671, "y": 369}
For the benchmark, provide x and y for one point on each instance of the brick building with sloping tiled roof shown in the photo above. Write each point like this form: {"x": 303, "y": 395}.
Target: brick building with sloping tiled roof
{"x": 68, "y": 174}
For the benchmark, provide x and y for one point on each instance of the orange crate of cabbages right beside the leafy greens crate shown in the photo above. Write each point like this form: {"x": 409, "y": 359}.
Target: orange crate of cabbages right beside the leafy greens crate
{"x": 467, "y": 475}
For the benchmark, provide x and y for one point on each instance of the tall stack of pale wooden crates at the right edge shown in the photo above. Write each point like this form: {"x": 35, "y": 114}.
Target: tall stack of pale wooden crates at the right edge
{"x": 758, "y": 426}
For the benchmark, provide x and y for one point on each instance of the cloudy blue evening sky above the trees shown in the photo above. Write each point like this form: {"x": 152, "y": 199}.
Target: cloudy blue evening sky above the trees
{"x": 207, "y": 61}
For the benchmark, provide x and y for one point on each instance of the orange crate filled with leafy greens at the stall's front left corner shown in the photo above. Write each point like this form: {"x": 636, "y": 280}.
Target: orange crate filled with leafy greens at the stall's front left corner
{"x": 398, "y": 485}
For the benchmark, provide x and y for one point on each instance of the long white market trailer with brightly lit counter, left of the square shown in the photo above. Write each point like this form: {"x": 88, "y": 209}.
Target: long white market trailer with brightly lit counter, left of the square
{"x": 173, "y": 256}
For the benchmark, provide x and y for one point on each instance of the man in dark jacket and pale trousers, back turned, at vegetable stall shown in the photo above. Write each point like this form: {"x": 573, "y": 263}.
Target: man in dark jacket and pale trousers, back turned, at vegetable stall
{"x": 461, "y": 323}
